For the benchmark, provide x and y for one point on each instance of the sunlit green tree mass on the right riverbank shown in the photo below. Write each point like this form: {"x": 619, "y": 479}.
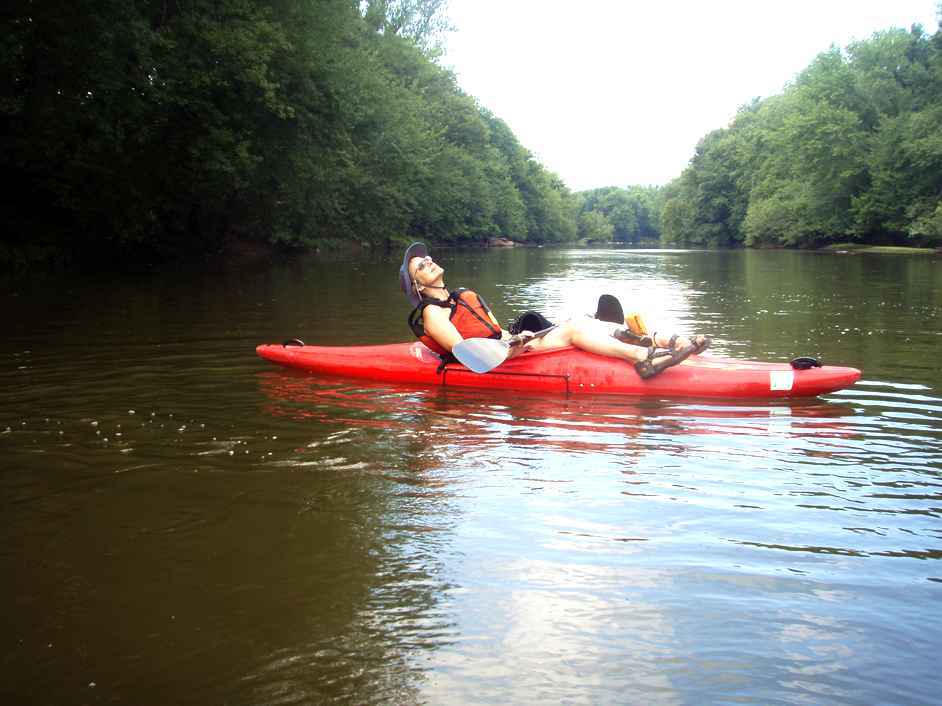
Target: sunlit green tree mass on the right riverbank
{"x": 850, "y": 150}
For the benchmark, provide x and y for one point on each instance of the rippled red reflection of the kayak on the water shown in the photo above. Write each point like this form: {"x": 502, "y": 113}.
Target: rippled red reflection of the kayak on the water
{"x": 575, "y": 424}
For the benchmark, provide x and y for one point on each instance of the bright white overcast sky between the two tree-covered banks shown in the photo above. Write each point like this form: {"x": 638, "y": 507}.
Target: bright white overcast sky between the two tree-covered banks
{"x": 612, "y": 93}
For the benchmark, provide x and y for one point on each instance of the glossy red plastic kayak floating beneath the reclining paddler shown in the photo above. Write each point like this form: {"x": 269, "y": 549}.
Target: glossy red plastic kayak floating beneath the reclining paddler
{"x": 566, "y": 370}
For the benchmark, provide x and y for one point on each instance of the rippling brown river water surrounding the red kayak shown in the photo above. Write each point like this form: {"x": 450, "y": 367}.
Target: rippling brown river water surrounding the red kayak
{"x": 184, "y": 523}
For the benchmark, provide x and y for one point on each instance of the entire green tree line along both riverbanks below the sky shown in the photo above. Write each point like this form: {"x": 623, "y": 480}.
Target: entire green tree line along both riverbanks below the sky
{"x": 163, "y": 130}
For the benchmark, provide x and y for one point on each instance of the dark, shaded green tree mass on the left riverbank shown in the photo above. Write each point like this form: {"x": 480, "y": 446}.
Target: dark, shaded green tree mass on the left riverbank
{"x": 171, "y": 129}
